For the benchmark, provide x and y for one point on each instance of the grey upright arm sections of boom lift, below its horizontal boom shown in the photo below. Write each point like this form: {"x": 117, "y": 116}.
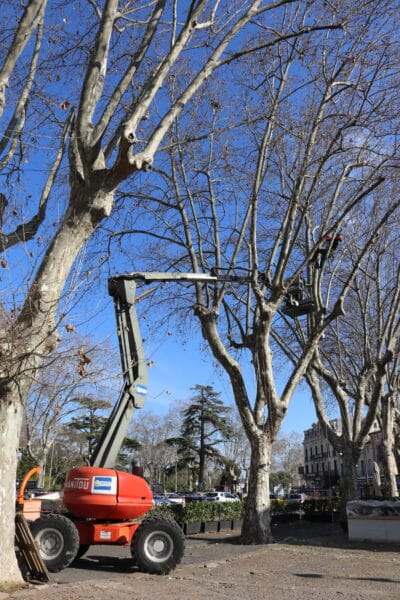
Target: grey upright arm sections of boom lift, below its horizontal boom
{"x": 134, "y": 391}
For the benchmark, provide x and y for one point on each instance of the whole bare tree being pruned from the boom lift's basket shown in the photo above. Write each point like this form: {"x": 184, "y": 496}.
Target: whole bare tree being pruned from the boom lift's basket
{"x": 265, "y": 207}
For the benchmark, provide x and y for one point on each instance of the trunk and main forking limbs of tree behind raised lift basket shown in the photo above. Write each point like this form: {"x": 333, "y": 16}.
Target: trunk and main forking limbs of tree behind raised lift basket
{"x": 261, "y": 431}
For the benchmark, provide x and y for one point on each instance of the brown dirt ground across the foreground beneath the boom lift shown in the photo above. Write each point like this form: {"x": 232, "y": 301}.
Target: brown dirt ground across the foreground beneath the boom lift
{"x": 307, "y": 561}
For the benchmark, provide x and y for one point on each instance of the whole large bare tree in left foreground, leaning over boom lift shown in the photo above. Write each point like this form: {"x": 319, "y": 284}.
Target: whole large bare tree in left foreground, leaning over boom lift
{"x": 105, "y": 66}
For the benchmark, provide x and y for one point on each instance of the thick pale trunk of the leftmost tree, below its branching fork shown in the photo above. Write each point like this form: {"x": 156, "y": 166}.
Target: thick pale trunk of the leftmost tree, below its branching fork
{"x": 34, "y": 335}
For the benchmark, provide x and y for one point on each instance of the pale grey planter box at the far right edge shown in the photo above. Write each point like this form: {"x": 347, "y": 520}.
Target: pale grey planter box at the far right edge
{"x": 373, "y": 520}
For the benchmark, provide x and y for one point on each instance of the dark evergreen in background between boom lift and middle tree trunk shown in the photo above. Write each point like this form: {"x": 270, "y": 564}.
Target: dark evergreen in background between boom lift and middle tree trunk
{"x": 205, "y": 425}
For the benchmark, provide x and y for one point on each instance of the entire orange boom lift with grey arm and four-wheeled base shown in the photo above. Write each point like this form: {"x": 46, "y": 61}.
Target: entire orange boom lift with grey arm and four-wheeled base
{"x": 102, "y": 502}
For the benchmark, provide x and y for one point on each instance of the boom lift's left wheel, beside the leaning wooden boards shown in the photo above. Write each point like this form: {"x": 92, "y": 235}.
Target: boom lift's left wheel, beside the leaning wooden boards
{"x": 57, "y": 539}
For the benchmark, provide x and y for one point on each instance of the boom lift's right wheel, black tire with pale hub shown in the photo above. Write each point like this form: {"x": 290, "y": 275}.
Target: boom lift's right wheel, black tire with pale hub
{"x": 158, "y": 545}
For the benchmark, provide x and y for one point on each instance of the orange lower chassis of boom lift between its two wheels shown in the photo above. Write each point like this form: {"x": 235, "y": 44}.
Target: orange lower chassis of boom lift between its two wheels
{"x": 120, "y": 534}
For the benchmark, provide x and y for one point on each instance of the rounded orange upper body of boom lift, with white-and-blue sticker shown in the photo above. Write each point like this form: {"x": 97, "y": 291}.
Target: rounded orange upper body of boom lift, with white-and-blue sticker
{"x": 106, "y": 494}
